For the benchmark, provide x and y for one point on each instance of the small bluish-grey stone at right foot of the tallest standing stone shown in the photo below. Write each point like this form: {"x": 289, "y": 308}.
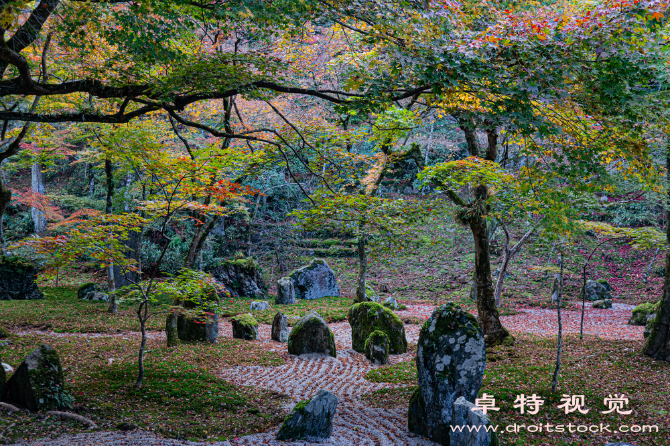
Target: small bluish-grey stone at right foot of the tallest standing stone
{"x": 469, "y": 435}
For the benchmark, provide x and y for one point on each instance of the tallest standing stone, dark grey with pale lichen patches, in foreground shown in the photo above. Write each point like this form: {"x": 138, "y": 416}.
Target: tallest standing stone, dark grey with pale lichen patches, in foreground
{"x": 451, "y": 357}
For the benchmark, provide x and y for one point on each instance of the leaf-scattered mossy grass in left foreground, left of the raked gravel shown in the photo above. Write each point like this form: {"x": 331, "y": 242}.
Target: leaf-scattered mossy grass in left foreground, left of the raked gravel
{"x": 181, "y": 396}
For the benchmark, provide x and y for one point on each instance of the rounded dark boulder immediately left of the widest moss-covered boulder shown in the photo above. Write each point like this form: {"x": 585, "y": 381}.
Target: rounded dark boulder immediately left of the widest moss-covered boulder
{"x": 311, "y": 335}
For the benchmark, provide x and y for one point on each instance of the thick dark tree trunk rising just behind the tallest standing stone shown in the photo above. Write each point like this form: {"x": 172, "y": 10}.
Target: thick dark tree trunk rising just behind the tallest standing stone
{"x": 489, "y": 318}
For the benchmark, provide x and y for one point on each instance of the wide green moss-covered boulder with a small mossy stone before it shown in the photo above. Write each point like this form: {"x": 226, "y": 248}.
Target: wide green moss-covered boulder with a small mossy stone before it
{"x": 367, "y": 317}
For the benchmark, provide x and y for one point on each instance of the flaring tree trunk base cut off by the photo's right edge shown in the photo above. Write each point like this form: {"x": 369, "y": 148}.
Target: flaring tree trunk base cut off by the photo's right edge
{"x": 658, "y": 342}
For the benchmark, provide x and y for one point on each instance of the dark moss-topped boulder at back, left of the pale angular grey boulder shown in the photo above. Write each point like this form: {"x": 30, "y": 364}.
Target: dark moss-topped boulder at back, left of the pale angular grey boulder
{"x": 241, "y": 276}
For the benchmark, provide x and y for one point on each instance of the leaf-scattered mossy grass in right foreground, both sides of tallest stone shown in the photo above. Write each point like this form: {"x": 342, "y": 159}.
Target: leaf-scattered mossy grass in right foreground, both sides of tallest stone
{"x": 594, "y": 368}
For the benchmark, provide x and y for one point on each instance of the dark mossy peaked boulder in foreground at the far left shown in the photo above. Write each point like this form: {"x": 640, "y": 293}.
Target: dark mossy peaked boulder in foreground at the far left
{"x": 38, "y": 383}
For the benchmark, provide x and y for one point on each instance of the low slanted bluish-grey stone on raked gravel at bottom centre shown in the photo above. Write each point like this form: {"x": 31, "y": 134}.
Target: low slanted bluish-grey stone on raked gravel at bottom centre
{"x": 310, "y": 420}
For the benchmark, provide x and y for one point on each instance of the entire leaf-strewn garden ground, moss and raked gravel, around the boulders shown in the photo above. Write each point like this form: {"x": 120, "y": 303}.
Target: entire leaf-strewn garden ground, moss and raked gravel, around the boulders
{"x": 238, "y": 392}
